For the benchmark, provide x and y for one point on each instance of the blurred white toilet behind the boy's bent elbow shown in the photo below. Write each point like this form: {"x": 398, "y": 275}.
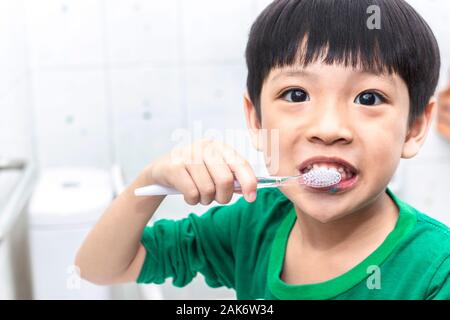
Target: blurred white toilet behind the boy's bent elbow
{"x": 64, "y": 206}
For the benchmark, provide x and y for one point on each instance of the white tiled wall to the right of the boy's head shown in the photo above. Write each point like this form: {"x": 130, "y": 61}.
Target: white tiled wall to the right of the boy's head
{"x": 426, "y": 183}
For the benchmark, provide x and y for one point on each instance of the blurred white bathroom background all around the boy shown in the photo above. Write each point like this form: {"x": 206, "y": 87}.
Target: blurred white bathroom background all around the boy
{"x": 92, "y": 90}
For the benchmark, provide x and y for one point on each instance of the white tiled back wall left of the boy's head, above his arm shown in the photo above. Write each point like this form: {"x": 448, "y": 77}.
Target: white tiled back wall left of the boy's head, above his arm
{"x": 112, "y": 80}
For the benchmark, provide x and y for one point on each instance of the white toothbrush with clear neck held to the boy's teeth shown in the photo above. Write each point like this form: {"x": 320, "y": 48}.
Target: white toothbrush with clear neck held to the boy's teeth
{"x": 316, "y": 178}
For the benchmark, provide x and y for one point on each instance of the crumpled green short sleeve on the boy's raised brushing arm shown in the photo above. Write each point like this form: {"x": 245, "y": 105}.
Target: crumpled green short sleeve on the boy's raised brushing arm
{"x": 181, "y": 248}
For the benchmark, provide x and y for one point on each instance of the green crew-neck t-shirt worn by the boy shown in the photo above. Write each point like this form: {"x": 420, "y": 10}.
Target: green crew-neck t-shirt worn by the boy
{"x": 242, "y": 246}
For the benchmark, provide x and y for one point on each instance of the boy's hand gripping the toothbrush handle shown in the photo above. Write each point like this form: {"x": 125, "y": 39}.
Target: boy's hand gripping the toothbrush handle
{"x": 203, "y": 172}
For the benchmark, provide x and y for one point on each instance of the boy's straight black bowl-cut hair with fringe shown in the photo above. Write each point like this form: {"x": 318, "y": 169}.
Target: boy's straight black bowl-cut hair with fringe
{"x": 337, "y": 31}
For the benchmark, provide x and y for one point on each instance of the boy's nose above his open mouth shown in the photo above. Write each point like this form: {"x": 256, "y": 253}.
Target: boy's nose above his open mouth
{"x": 329, "y": 126}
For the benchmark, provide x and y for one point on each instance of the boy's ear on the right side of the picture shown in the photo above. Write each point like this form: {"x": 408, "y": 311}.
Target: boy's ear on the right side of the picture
{"x": 418, "y": 131}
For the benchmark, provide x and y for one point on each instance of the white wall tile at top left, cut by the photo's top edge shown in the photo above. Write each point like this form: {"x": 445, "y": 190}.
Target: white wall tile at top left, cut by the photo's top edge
{"x": 65, "y": 32}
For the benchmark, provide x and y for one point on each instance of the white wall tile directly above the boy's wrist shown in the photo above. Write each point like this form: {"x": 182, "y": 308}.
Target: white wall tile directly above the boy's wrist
{"x": 146, "y": 106}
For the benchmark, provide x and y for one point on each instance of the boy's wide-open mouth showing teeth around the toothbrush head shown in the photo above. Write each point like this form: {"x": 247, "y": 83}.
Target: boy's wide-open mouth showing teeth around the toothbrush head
{"x": 349, "y": 174}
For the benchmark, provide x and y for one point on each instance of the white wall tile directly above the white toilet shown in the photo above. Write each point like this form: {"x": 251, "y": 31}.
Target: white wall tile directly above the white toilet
{"x": 71, "y": 117}
